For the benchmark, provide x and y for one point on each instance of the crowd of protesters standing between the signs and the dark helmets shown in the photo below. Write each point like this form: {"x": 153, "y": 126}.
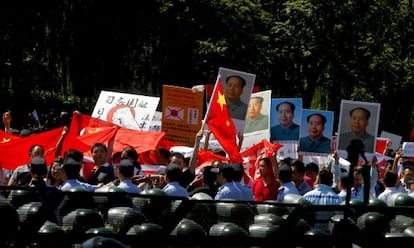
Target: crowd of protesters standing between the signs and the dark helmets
{"x": 276, "y": 180}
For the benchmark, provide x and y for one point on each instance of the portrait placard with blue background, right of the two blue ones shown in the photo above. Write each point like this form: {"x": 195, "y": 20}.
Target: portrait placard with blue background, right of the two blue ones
{"x": 316, "y": 132}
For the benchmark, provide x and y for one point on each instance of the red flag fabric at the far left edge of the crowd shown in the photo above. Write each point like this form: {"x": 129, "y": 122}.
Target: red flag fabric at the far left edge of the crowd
{"x": 15, "y": 151}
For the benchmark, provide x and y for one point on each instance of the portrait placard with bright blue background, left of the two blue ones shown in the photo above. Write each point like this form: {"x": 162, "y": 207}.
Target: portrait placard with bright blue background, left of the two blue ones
{"x": 285, "y": 119}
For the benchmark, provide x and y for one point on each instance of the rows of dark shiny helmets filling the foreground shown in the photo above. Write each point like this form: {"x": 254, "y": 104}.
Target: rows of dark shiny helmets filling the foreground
{"x": 85, "y": 219}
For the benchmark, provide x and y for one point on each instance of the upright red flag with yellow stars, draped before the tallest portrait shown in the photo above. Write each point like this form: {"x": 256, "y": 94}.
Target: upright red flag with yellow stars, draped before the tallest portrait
{"x": 221, "y": 124}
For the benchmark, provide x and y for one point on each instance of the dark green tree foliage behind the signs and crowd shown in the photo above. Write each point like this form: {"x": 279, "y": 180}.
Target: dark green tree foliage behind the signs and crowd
{"x": 66, "y": 52}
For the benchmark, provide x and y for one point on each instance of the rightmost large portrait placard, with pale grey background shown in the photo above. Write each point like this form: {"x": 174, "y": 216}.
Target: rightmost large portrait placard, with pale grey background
{"x": 358, "y": 121}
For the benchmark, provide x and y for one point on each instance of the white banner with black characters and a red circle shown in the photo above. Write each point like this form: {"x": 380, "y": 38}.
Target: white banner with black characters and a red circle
{"x": 126, "y": 110}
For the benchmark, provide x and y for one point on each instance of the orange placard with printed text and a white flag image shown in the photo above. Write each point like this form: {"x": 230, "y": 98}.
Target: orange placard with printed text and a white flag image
{"x": 182, "y": 113}
